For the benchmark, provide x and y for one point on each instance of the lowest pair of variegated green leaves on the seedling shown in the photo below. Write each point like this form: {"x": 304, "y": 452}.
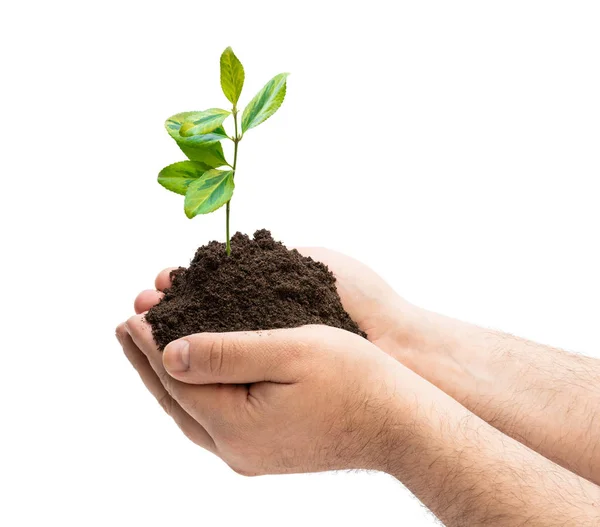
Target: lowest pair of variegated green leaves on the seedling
{"x": 205, "y": 189}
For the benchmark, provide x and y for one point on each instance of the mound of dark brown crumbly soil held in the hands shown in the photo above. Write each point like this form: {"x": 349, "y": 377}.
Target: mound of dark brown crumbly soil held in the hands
{"x": 261, "y": 285}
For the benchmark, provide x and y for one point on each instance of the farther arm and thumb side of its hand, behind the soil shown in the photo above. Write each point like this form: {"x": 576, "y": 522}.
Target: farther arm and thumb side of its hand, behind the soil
{"x": 546, "y": 398}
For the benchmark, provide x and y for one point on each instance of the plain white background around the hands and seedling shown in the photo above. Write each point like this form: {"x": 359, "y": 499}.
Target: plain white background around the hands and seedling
{"x": 452, "y": 146}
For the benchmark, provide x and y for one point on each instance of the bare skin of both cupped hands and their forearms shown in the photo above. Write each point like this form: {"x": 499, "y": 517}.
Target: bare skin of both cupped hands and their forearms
{"x": 447, "y": 408}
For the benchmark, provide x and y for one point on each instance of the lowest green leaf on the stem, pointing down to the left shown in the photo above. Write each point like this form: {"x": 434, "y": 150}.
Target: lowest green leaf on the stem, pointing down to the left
{"x": 209, "y": 192}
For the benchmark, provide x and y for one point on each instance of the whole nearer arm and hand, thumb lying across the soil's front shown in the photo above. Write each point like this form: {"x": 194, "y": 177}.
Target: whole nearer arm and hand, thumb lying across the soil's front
{"x": 318, "y": 398}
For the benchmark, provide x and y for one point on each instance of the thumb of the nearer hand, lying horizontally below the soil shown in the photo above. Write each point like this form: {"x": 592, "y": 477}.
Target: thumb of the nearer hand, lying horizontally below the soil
{"x": 279, "y": 355}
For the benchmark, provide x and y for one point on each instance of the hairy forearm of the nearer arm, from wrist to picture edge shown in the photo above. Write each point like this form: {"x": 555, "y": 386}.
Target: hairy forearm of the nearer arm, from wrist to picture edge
{"x": 468, "y": 473}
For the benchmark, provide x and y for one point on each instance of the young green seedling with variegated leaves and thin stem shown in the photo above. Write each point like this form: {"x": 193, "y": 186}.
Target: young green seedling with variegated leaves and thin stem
{"x": 205, "y": 186}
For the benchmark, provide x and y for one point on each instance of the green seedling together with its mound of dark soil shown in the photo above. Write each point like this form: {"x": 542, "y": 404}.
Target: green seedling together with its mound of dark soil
{"x": 243, "y": 283}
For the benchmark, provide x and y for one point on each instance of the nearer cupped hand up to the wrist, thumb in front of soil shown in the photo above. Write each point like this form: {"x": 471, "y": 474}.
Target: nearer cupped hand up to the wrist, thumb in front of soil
{"x": 297, "y": 400}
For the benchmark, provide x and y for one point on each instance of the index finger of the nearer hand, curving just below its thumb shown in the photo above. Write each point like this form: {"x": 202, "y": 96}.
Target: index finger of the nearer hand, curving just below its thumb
{"x": 206, "y": 402}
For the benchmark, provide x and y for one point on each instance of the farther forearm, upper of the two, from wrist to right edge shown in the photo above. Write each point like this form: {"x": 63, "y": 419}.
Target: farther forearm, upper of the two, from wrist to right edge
{"x": 546, "y": 398}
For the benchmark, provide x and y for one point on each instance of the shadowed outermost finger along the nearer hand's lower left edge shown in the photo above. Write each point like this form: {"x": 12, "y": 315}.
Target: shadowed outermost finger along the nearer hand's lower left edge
{"x": 190, "y": 427}
